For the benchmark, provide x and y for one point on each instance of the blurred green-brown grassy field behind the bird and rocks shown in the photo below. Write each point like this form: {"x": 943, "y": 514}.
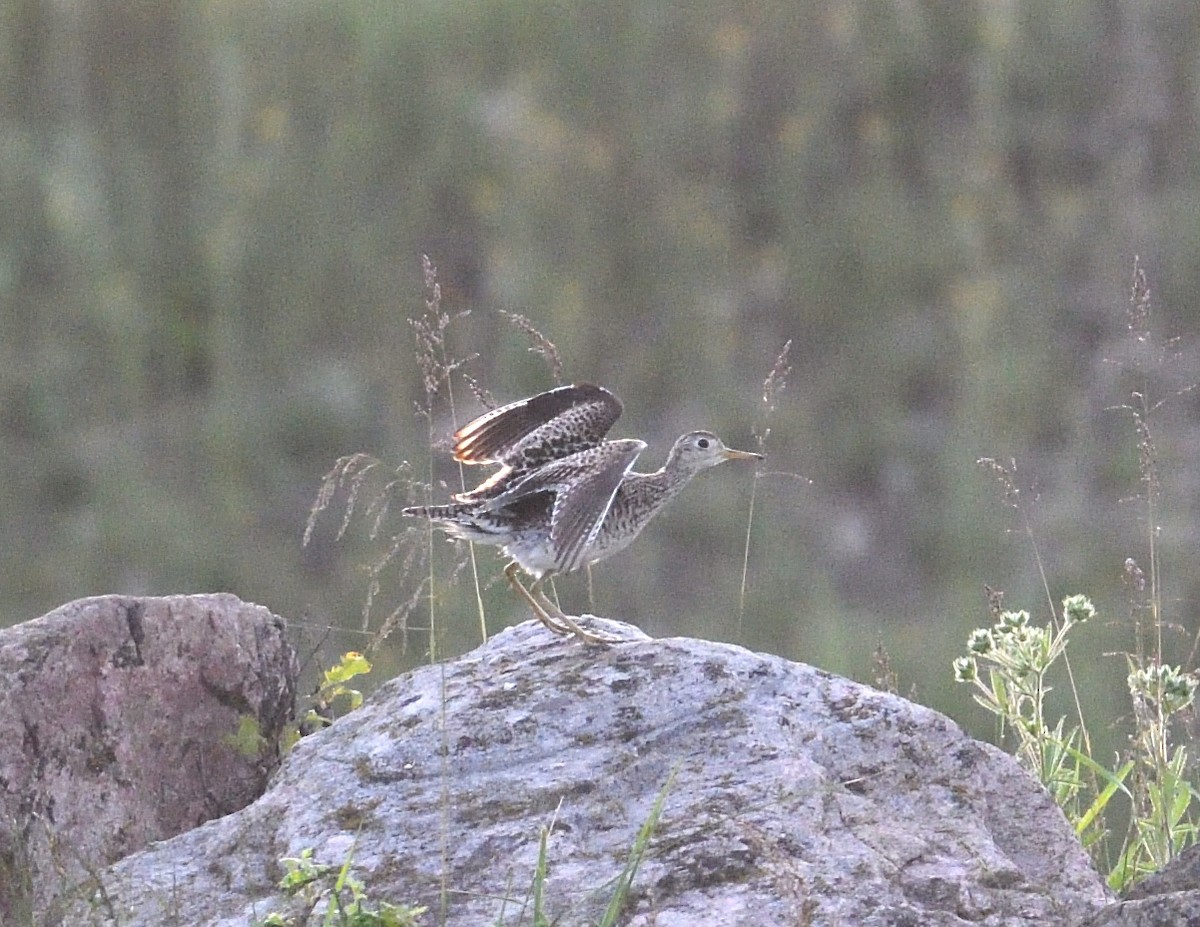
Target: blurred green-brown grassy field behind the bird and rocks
{"x": 215, "y": 219}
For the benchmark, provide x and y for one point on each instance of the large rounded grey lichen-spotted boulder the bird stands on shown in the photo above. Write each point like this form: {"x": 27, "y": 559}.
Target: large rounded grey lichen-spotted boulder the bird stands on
{"x": 796, "y": 798}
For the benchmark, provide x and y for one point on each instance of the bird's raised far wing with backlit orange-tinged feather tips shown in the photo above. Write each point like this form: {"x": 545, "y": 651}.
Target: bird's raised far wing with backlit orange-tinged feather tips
{"x": 527, "y": 435}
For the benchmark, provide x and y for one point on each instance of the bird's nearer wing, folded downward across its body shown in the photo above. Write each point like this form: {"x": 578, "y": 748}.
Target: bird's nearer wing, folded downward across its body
{"x": 585, "y": 486}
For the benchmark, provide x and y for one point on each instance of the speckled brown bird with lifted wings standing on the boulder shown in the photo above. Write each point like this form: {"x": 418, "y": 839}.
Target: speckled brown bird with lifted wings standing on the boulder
{"x": 565, "y": 497}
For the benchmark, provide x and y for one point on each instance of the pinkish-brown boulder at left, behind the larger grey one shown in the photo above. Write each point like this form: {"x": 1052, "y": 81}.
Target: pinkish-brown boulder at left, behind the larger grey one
{"x": 118, "y": 723}
